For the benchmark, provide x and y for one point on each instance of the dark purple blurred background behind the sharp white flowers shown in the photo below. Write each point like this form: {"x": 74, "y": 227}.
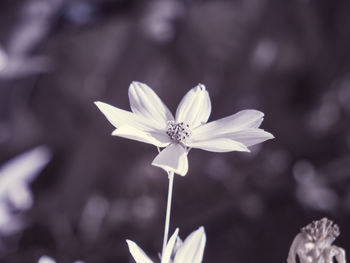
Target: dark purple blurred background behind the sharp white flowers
{"x": 71, "y": 191}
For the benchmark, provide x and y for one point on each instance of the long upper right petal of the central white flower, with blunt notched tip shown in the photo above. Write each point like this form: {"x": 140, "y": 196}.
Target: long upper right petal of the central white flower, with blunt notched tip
{"x": 241, "y": 120}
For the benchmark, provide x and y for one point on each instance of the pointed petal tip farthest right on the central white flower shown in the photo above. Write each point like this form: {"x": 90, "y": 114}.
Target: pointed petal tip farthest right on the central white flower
{"x": 250, "y": 137}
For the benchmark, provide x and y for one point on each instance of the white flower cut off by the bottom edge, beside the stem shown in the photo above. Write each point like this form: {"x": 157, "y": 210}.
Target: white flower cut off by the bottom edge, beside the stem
{"x": 177, "y": 251}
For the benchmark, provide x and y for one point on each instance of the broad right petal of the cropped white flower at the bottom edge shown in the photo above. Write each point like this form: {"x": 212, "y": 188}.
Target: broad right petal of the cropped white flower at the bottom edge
{"x": 193, "y": 248}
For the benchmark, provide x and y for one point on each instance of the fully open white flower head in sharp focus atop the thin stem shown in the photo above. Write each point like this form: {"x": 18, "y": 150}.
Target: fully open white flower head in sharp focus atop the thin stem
{"x": 151, "y": 122}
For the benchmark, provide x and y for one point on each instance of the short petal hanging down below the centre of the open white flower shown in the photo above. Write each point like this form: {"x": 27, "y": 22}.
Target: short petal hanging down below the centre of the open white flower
{"x": 172, "y": 158}
